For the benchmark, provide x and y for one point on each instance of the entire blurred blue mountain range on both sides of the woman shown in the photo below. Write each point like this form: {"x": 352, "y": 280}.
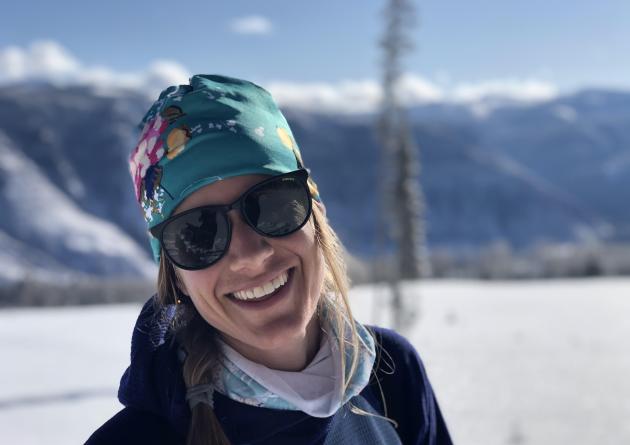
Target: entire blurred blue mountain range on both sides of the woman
{"x": 557, "y": 171}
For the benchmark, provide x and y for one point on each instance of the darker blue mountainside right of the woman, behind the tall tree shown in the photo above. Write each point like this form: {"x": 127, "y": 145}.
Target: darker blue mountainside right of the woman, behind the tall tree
{"x": 475, "y": 196}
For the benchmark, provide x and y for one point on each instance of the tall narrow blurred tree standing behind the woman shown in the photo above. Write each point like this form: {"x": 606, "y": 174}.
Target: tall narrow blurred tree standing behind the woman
{"x": 401, "y": 199}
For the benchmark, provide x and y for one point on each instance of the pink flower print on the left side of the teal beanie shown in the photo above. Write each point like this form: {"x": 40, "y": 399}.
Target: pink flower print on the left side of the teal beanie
{"x": 148, "y": 152}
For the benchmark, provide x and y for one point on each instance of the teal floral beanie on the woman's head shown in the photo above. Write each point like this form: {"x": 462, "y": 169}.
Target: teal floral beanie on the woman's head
{"x": 214, "y": 128}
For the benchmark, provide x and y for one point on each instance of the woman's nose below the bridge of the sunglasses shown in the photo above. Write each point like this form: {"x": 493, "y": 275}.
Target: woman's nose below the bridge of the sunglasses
{"x": 248, "y": 250}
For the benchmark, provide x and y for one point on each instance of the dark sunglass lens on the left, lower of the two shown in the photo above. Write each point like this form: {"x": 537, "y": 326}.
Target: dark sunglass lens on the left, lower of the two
{"x": 197, "y": 239}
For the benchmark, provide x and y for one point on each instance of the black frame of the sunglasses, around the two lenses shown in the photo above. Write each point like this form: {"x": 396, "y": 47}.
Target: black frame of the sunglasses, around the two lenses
{"x": 300, "y": 175}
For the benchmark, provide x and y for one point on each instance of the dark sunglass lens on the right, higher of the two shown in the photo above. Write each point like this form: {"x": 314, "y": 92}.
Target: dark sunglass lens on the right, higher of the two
{"x": 278, "y": 207}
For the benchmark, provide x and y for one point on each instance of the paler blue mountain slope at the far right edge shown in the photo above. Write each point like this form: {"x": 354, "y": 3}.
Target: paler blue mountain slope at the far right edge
{"x": 580, "y": 143}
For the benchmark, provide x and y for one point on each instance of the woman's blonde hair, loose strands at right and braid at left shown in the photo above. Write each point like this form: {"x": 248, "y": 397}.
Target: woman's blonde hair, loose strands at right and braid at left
{"x": 198, "y": 338}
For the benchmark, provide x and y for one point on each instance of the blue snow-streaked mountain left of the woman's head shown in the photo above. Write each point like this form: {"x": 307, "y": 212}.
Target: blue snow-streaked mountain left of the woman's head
{"x": 61, "y": 211}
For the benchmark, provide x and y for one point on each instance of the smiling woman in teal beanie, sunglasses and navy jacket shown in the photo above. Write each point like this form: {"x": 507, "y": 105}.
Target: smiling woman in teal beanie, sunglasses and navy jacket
{"x": 250, "y": 338}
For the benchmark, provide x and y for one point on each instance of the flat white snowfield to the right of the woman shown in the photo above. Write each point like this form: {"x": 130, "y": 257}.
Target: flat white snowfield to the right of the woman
{"x": 526, "y": 363}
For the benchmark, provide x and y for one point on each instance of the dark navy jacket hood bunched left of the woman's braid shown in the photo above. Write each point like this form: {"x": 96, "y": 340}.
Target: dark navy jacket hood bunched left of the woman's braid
{"x": 153, "y": 382}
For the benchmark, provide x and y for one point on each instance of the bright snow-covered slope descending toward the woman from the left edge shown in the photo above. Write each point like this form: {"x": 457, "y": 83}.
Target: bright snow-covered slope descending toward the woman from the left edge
{"x": 43, "y": 231}
